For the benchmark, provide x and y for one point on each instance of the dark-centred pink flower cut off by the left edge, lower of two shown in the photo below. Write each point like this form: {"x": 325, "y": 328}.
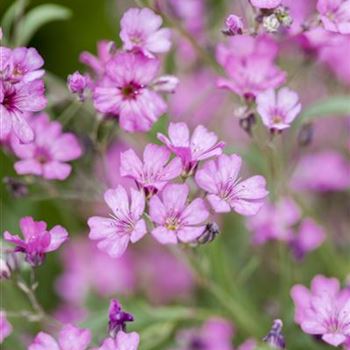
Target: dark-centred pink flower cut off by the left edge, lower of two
{"x": 15, "y": 99}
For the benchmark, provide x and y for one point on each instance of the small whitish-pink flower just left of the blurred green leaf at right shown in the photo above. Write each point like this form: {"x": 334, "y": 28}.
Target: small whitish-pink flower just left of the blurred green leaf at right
{"x": 278, "y": 109}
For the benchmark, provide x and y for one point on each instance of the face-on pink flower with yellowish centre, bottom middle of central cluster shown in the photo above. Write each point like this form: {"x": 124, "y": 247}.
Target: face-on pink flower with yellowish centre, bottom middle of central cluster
{"x": 175, "y": 221}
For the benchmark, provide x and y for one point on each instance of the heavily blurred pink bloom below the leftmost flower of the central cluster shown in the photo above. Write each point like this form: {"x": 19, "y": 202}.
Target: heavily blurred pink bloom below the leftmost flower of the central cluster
{"x": 106, "y": 276}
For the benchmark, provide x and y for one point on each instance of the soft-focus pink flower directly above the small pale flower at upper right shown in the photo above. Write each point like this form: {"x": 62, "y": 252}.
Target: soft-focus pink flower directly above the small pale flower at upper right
{"x": 251, "y": 76}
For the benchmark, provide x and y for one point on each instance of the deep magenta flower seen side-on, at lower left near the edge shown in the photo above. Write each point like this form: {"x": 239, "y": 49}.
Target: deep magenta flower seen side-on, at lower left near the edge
{"x": 37, "y": 239}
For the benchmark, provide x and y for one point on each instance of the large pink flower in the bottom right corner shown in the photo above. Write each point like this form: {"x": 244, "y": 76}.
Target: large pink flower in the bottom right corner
{"x": 323, "y": 311}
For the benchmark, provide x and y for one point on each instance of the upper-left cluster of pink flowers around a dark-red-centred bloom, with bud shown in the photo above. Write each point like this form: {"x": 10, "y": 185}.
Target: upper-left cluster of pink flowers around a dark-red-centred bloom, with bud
{"x": 124, "y": 82}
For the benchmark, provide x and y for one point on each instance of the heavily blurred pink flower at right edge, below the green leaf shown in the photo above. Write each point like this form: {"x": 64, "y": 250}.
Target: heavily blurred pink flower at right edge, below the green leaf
{"x": 322, "y": 172}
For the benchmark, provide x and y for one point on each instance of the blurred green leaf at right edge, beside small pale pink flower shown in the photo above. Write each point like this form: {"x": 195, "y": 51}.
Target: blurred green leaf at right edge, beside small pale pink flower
{"x": 333, "y": 106}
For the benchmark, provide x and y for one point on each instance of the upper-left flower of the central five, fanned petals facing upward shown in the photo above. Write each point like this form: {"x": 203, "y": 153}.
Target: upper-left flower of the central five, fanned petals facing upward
{"x": 154, "y": 172}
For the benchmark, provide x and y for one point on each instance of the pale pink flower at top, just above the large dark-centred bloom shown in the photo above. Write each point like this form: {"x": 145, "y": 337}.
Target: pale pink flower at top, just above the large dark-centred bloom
{"x": 140, "y": 31}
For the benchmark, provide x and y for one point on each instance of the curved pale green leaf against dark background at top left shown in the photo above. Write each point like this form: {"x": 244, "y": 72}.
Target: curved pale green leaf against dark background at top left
{"x": 38, "y": 17}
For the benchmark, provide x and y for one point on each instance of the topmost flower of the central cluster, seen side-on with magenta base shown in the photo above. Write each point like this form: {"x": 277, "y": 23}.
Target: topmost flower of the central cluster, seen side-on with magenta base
{"x": 201, "y": 145}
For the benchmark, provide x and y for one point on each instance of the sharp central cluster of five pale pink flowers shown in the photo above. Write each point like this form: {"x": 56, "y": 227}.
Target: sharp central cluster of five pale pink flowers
{"x": 173, "y": 216}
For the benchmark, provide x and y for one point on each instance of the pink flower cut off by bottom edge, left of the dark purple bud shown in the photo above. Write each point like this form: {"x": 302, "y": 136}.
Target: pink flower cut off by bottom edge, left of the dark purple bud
{"x": 69, "y": 338}
